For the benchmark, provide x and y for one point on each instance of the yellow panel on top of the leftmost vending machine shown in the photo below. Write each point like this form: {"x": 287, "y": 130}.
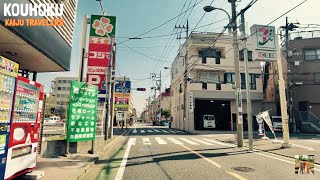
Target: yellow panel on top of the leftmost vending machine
{"x": 8, "y": 67}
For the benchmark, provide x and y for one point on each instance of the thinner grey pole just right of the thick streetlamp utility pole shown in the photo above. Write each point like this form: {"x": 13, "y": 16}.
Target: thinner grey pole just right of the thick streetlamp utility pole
{"x": 245, "y": 56}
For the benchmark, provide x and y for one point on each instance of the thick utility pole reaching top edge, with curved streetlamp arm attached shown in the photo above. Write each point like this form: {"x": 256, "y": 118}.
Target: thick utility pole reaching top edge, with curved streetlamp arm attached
{"x": 237, "y": 75}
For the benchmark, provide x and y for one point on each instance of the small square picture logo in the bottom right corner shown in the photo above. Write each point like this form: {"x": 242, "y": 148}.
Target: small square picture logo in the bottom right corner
{"x": 304, "y": 164}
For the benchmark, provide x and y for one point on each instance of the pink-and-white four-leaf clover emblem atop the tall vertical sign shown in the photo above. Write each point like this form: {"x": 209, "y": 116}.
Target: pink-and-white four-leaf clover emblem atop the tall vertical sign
{"x": 102, "y": 27}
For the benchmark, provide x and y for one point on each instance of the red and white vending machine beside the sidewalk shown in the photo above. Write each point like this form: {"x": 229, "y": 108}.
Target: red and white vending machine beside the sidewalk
{"x": 25, "y": 123}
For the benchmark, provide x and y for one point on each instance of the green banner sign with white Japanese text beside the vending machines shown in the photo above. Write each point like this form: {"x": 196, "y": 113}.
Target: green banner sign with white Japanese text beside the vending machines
{"x": 82, "y": 115}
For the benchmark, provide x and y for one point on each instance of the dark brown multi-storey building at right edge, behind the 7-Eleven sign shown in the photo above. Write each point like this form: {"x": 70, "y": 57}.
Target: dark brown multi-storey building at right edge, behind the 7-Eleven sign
{"x": 304, "y": 65}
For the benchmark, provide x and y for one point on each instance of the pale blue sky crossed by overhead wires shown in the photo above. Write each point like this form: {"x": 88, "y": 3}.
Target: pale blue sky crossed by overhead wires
{"x": 139, "y": 16}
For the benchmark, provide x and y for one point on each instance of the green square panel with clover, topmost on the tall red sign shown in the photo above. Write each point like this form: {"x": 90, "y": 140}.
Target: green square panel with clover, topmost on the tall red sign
{"x": 103, "y": 26}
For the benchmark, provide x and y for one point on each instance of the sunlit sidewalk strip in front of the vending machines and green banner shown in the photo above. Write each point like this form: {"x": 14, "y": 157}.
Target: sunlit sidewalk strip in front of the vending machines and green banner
{"x": 75, "y": 165}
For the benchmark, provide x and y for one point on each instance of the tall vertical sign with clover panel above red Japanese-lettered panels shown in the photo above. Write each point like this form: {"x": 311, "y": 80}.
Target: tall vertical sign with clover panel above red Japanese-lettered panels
{"x": 102, "y": 32}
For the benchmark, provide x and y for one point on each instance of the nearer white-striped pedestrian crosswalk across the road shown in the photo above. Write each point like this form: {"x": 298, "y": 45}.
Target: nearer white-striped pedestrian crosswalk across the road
{"x": 177, "y": 141}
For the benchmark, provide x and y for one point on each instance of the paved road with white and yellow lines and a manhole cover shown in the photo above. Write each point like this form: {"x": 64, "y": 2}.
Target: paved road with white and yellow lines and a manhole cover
{"x": 162, "y": 153}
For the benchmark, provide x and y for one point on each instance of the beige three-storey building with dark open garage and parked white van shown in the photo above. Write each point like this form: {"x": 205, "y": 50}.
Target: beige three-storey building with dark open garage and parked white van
{"x": 211, "y": 82}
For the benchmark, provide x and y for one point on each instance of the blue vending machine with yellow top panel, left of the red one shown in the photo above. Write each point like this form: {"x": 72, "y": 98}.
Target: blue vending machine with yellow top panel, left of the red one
{"x": 8, "y": 74}
